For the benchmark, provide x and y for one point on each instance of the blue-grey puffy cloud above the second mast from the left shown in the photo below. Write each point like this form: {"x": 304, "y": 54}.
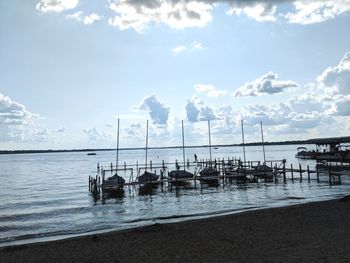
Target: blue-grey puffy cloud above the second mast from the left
{"x": 158, "y": 111}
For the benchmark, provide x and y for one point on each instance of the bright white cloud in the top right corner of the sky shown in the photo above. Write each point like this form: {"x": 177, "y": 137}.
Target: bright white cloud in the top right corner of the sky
{"x": 311, "y": 12}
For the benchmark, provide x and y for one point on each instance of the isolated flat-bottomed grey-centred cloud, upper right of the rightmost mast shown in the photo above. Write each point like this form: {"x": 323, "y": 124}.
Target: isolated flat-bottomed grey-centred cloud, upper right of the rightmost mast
{"x": 266, "y": 84}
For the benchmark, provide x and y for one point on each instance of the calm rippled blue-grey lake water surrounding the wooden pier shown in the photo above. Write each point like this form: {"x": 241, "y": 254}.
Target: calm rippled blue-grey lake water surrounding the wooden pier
{"x": 45, "y": 196}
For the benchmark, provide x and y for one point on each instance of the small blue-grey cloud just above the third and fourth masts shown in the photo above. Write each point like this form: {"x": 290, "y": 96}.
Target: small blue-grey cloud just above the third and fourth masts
{"x": 196, "y": 111}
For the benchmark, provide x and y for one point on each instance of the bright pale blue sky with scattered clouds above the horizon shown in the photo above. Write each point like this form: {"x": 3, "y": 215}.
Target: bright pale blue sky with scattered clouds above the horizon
{"x": 70, "y": 68}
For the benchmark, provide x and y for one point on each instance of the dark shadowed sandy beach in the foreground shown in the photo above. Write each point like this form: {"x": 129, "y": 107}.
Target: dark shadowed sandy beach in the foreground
{"x": 315, "y": 232}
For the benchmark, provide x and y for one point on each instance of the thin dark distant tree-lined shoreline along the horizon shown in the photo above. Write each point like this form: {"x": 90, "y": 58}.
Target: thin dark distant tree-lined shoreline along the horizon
{"x": 345, "y": 139}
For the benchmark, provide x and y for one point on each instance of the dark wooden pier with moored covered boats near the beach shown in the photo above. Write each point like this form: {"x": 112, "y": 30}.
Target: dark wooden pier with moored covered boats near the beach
{"x": 229, "y": 170}
